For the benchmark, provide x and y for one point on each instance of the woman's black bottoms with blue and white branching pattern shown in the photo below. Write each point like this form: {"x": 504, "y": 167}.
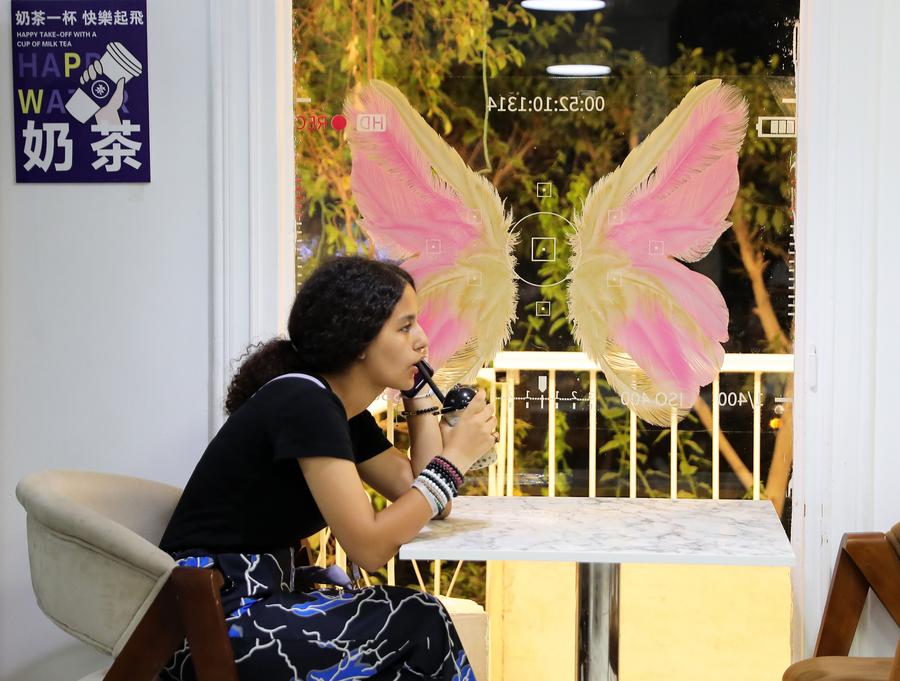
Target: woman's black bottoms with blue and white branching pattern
{"x": 282, "y": 628}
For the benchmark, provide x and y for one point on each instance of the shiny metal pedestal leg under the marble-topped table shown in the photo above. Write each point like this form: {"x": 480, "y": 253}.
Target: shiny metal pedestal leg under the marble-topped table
{"x": 598, "y": 621}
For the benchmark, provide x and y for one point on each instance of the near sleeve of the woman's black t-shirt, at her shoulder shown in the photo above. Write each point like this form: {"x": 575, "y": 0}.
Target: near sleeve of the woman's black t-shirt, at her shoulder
{"x": 307, "y": 420}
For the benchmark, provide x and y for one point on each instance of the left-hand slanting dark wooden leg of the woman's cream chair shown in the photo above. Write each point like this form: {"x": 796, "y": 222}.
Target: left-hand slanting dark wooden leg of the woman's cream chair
{"x": 152, "y": 643}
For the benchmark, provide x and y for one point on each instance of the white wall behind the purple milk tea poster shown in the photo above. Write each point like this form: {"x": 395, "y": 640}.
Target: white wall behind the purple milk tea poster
{"x": 120, "y": 305}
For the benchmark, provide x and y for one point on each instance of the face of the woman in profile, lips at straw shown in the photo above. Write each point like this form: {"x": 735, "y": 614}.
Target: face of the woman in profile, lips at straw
{"x": 391, "y": 357}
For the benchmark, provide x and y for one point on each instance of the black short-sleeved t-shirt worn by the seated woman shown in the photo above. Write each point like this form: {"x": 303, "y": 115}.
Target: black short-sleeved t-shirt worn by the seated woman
{"x": 247, "y": 493}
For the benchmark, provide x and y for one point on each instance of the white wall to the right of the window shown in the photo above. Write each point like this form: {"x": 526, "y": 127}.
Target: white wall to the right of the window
{"x": 848, "y": 327}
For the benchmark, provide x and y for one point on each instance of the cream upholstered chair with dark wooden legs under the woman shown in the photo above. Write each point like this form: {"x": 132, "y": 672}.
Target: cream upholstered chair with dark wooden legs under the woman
{"x": 97, "y": 573}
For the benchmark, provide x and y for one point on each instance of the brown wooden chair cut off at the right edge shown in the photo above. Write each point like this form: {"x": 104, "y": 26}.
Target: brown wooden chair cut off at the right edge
{"x": 869, "y": 560}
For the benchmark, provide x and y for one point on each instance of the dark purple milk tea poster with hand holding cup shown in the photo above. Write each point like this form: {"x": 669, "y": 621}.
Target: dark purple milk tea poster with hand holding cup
{"x": 80, "y": 90}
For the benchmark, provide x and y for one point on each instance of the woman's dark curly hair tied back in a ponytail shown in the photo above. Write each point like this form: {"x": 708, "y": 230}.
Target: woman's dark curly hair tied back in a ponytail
{"x": 338, "y": 311}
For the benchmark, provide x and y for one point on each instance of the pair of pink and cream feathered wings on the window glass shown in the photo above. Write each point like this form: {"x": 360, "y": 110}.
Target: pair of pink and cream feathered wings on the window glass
{"x": 651, "y": 324}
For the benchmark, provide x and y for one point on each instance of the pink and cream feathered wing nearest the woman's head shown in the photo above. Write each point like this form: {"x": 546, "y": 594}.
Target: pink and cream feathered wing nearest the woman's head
{"x": 413, "y": 215}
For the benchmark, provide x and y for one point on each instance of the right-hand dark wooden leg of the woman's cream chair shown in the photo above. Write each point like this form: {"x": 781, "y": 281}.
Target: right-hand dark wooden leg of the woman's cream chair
{"x": 200, "y": 609}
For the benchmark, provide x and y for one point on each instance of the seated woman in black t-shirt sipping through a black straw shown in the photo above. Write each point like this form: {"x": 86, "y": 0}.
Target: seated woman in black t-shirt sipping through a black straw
{"x": 292, "y": 458}
